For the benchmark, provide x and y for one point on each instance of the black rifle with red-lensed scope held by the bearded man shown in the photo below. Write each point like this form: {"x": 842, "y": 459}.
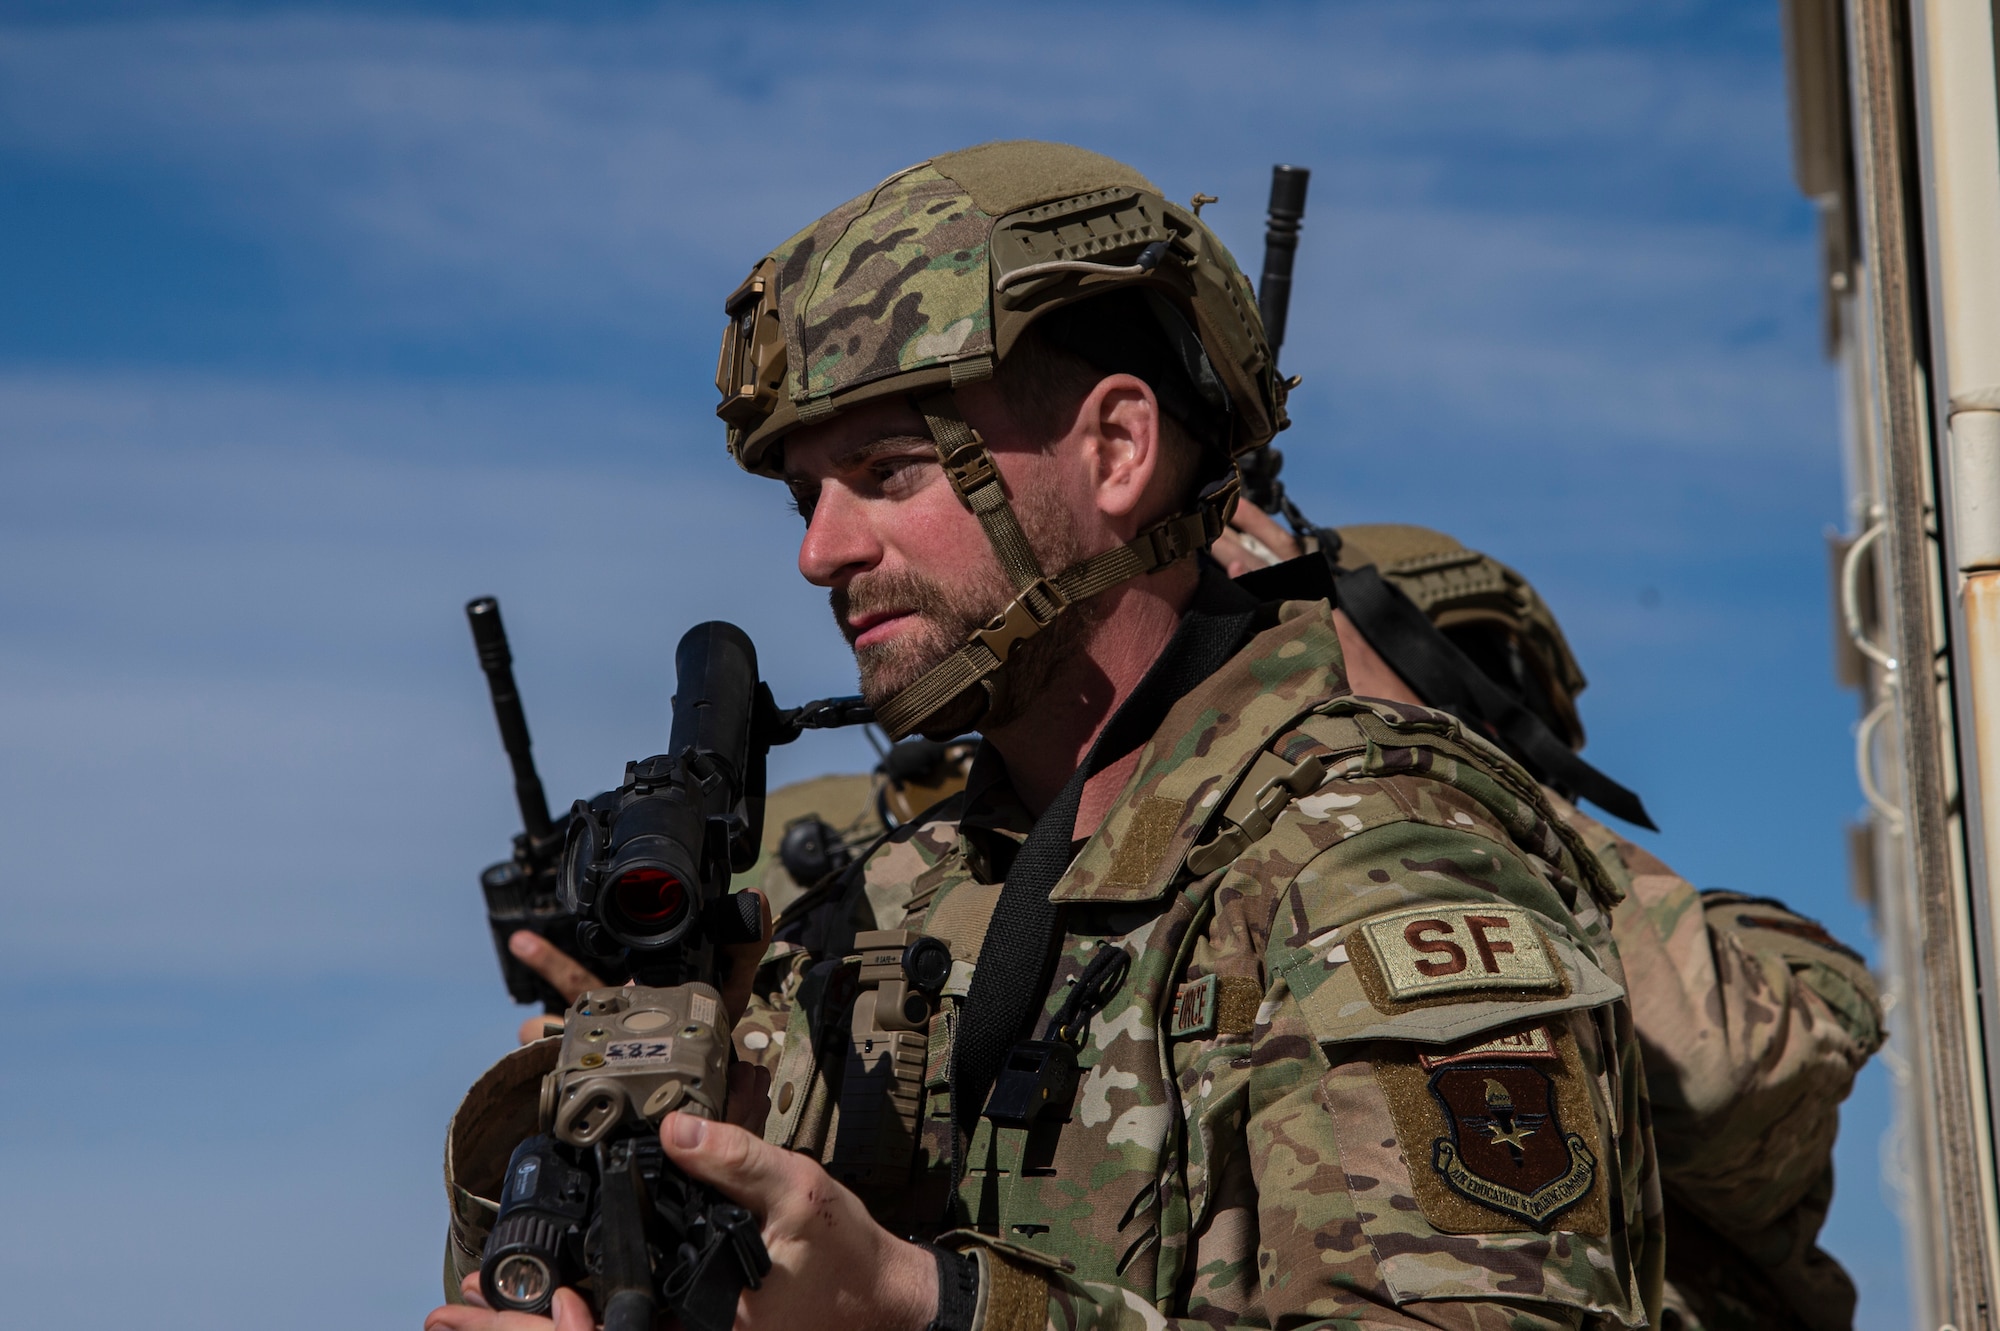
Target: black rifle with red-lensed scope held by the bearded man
{"x": 591, "y": 1200}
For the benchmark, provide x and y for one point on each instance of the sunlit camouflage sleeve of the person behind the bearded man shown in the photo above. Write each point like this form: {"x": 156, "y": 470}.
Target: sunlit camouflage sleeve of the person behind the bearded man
{"x": 1753, "y": 1024}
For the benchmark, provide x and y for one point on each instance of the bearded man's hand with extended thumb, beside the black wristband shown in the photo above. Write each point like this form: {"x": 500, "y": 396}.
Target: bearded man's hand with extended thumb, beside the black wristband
{"x": 831, "y": 1264}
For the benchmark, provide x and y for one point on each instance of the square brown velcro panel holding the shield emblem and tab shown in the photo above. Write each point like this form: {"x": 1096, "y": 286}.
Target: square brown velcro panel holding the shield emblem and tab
{"x": 1499, "y": 1136}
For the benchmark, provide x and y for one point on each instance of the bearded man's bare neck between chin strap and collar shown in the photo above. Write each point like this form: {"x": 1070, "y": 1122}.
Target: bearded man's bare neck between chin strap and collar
{"x": 1047, "y": 746}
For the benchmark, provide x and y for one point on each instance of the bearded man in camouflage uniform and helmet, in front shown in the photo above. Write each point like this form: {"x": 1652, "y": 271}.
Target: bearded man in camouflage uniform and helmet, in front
{"x": 1221, "y": 996}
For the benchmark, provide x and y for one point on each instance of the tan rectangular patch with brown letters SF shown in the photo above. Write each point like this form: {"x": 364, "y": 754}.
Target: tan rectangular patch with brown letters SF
{"x": 1455, "y": 948}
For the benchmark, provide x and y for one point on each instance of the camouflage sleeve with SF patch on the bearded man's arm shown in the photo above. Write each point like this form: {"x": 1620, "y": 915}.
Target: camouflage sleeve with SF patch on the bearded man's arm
{"x": 1321, "y": 1150}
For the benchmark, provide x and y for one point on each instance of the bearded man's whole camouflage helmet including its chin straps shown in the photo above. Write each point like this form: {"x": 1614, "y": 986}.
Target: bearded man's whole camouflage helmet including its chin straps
{"x": 929, "y": 281}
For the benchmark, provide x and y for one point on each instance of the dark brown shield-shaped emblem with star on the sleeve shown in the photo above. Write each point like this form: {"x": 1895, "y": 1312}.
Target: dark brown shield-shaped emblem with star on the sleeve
{"x": 1507, "y": 1148}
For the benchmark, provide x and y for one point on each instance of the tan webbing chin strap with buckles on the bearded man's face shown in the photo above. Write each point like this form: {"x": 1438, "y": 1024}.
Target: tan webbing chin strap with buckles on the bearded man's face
{"x": 1039, "y": 599}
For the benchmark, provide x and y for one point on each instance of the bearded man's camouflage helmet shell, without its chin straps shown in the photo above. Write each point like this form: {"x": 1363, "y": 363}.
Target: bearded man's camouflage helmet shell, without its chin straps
{"x": 931, "y": 279}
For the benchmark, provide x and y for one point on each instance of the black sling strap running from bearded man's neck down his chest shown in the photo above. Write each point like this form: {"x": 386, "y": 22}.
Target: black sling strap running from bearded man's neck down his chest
{"x": 1015, "y": 960}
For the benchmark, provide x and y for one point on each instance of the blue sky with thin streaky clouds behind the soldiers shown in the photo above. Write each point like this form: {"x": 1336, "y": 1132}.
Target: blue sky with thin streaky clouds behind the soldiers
{"x": 319, "y": 321}
